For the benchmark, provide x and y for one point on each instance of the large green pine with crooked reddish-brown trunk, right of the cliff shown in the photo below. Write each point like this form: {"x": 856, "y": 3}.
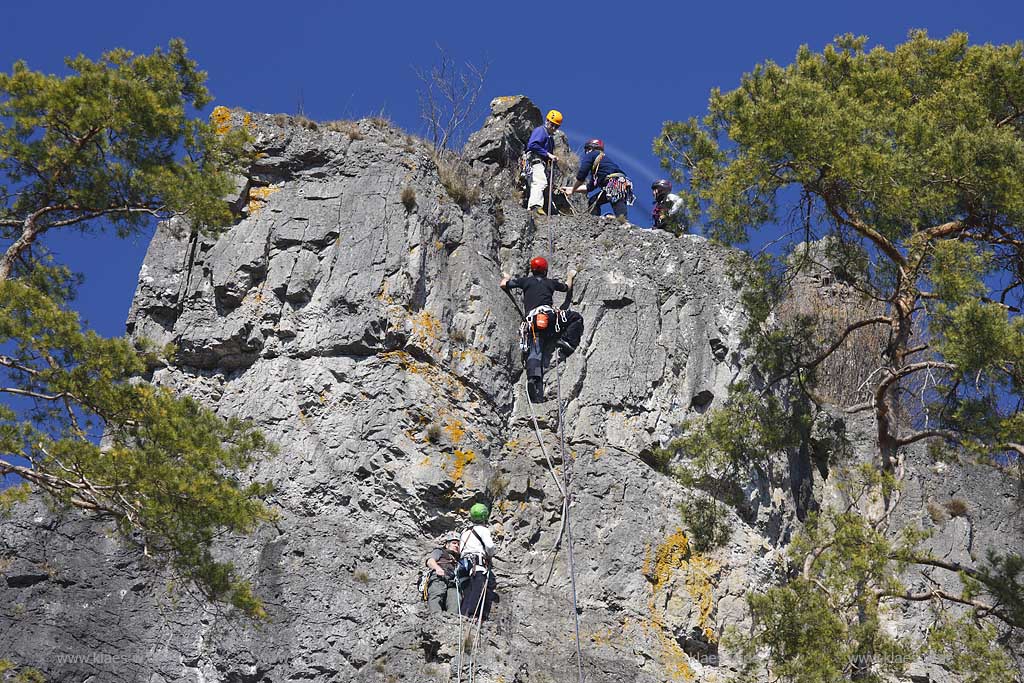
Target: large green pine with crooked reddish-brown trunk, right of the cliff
{"x": 894, "y": 179}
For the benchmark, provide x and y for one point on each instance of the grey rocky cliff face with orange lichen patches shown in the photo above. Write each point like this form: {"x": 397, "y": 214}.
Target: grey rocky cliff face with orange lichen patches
{"x": 355, "y": 315}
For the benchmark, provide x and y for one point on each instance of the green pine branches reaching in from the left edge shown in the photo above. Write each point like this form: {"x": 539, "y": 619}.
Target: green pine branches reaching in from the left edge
{"x": 112, "y": 146}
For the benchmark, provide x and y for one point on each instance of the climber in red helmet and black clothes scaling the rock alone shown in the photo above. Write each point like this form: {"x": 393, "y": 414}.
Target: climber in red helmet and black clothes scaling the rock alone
{"x": 545, "y": 329}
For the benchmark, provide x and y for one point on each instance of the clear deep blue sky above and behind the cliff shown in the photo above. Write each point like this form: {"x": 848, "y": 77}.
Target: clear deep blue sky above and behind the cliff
{"x": 617, "y": 71}
